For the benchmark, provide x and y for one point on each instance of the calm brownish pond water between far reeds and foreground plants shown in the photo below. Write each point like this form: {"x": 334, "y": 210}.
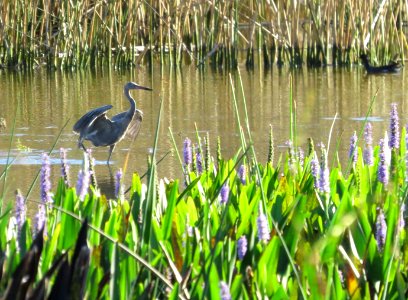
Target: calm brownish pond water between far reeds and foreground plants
{"x": 41, "y": 103}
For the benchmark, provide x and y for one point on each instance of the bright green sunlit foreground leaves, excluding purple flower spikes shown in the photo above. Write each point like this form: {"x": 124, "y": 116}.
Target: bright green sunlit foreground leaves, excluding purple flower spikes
{"x": 192, "y": 240}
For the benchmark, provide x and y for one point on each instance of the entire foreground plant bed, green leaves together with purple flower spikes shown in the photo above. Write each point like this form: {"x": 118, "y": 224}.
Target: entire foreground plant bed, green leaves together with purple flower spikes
{"x": 297, "y": 227}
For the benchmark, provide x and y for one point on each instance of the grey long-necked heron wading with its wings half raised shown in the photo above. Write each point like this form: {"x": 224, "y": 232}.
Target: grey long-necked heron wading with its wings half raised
{"x": 101, "y": 131}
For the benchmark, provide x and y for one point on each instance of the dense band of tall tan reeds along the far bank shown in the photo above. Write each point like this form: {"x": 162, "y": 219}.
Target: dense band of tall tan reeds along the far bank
{"x": 123, "y": 33}
